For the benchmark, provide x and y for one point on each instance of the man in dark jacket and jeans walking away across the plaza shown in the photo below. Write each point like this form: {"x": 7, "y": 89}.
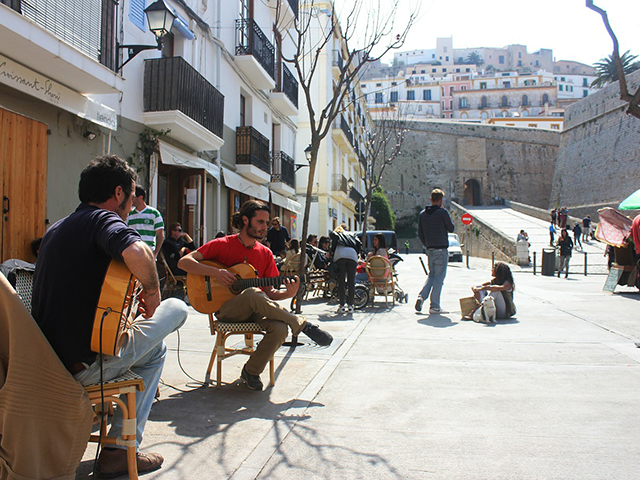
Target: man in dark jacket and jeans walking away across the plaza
{"x": 433, "y": 228}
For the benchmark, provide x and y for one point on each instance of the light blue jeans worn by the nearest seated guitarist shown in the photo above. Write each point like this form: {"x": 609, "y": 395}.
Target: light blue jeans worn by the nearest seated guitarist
{"x": 143, "y": 352}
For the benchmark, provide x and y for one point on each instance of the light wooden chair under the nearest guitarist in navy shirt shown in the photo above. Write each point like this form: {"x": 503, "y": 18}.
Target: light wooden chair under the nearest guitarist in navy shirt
{"x": 120, "y": 391}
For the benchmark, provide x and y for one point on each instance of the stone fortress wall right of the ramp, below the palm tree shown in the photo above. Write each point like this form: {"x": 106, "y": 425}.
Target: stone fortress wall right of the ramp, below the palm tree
{"x": 599, "y": 157}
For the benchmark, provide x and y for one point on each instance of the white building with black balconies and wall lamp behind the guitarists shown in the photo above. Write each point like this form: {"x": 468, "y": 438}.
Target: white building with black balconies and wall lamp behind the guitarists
{"x": 217, "y": 90}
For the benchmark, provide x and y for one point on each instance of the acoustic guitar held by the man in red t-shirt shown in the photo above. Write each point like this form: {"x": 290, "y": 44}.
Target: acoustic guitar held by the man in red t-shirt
{"x": 207, "y": 295}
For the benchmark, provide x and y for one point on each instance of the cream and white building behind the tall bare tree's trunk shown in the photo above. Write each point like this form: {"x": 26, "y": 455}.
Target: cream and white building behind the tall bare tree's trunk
{"x": 341, "y": 157}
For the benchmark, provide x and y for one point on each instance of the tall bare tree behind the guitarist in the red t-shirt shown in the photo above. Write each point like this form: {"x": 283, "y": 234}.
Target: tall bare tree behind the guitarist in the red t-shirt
{"x": 366, "y": 31}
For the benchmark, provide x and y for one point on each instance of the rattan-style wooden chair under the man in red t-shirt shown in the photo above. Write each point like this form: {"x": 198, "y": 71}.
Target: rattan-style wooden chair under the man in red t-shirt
{"x": 222, "y": 331}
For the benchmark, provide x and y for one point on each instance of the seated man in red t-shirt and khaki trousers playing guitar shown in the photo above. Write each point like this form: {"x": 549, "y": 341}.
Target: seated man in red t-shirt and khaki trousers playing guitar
{"x": 253, "y": 304}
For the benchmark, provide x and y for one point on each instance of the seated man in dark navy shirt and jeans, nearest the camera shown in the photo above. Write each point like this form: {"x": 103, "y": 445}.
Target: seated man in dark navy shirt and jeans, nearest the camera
{"x": 72, "y": 264}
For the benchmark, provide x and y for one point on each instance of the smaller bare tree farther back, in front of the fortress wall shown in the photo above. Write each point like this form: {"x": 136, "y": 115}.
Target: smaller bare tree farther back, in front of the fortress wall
{"x": 383, "y": 147}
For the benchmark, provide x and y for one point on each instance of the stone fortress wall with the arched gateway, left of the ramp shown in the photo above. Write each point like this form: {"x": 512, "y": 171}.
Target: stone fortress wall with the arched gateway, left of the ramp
{"x": 503, "y": 162}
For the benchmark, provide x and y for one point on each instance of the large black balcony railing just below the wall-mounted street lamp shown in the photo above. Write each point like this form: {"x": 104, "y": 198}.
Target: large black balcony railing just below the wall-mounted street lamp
{"x": 172, "y": 84}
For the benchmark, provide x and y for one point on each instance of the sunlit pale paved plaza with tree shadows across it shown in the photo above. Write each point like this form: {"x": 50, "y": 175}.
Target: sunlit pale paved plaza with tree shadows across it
{"x": 553, "y": 393}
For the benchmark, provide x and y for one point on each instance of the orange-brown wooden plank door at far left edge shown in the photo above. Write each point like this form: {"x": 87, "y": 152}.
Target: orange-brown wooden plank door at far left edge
{"x": 23, "y": 184}
